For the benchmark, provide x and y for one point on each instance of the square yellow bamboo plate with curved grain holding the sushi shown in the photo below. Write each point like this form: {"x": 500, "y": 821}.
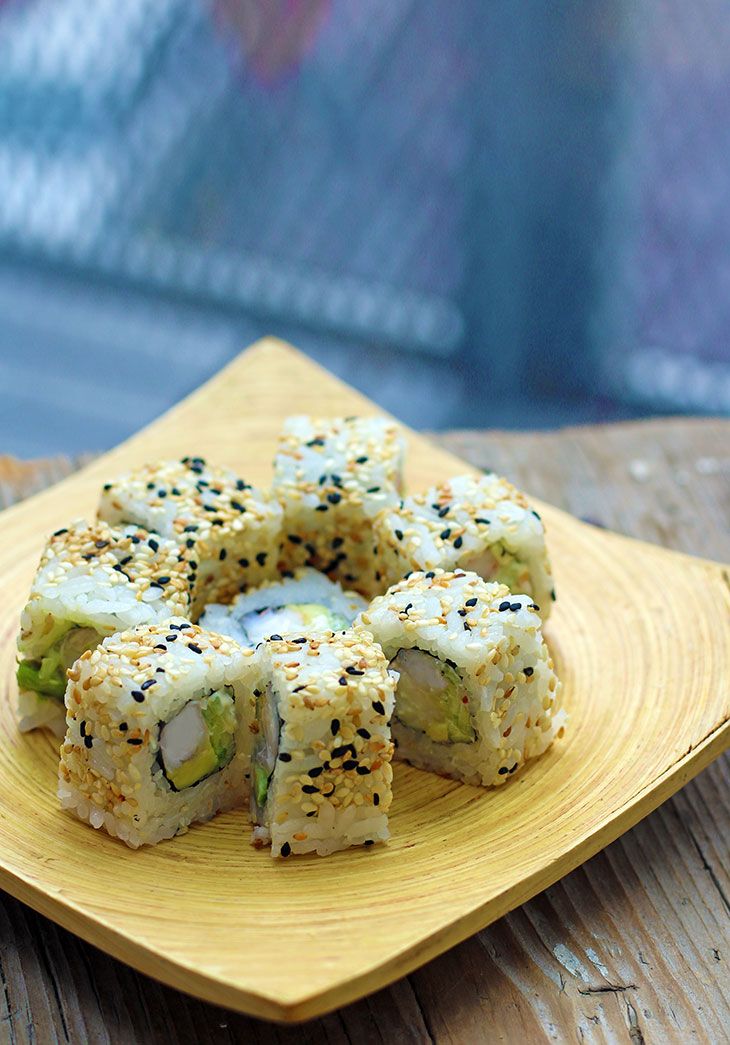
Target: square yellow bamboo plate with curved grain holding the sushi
{"x": 642, "y": 642}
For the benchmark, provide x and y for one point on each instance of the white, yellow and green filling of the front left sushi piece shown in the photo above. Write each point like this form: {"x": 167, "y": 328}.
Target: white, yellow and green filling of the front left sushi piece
{"x": 200, "y": 740}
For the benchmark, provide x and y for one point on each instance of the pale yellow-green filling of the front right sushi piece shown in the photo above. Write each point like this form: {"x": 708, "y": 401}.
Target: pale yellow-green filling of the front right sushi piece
{"x": 431, "y": 698}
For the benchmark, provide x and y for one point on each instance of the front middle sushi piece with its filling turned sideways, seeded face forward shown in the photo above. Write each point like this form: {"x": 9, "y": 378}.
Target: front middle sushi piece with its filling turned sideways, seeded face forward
{"x": 322, "y": 759}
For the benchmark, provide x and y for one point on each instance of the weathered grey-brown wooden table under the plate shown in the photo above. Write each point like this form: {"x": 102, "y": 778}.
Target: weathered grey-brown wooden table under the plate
{"x": 632, "y": 947}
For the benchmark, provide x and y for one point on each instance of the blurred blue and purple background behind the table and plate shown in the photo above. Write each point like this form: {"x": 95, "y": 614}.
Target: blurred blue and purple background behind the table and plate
{"x": 480, "y": 214}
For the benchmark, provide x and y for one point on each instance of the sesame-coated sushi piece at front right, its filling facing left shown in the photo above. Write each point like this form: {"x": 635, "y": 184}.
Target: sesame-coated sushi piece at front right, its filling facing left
{"x": 478, "y": 695}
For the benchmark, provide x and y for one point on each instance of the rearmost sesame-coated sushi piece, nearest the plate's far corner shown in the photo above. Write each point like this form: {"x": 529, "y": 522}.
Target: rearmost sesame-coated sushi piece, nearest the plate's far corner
{"x": 333, "y": 476}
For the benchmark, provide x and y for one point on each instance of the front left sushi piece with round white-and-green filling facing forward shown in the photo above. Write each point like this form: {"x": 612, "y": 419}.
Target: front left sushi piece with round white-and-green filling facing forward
{"x": 158, "y": 731}
